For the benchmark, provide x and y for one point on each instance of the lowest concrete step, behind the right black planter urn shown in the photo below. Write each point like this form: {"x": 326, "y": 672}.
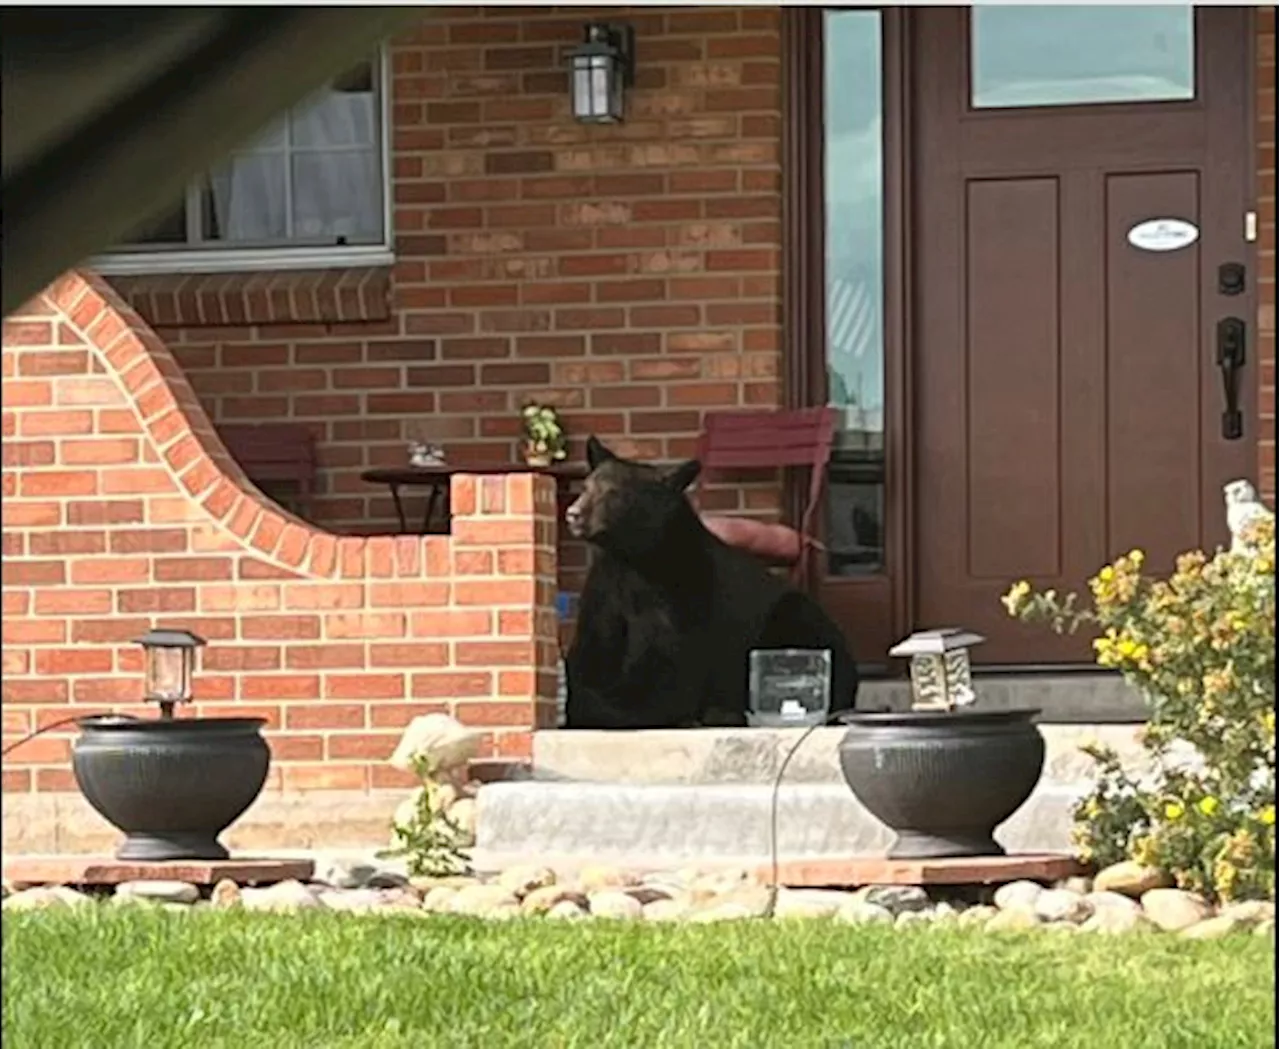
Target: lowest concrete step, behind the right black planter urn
{"x": 653, "y": 824}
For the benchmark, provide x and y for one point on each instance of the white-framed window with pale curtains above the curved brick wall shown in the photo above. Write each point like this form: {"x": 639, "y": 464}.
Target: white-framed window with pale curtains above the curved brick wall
{"x": 310, "y": 191}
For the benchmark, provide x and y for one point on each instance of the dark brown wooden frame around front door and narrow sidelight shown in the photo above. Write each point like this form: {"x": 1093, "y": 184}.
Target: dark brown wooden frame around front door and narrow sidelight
{"x": 885, "y": 606}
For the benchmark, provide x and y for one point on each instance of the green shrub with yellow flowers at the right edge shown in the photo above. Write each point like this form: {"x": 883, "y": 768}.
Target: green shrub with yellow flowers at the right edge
{"x": 1201, "y": 648}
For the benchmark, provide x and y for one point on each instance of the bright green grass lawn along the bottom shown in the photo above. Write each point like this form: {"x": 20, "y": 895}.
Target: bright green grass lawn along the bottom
{"x": 129, "y": 979}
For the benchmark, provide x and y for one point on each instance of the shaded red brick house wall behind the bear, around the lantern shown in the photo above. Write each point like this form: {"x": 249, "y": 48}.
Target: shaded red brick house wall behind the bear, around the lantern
{"x": 628, "y": 274}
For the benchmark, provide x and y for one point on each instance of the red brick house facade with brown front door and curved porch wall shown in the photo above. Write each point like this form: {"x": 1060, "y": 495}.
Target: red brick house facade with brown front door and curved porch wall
{"x": 936, "y": 219}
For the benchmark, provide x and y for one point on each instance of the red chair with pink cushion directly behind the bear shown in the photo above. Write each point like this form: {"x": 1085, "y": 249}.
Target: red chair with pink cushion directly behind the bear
{"x": 770, "y": 441}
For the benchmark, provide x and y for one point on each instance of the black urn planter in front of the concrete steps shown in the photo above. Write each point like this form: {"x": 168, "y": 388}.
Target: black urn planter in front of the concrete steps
{"x": 943, "y": 781}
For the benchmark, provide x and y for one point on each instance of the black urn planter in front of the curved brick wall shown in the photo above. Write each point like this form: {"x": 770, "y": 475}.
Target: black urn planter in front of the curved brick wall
{"x": 172, "y": 786}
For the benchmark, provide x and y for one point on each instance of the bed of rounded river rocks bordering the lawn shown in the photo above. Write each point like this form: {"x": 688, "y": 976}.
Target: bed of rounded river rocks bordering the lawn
{"x": 1124, "y": 899}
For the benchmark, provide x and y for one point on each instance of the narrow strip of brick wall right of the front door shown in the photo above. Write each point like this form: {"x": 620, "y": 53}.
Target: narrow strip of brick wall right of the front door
{"x": 1267, "y": 205}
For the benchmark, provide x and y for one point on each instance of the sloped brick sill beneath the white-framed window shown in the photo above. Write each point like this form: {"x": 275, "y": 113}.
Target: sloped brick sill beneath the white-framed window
{"x": 333, "y": 295}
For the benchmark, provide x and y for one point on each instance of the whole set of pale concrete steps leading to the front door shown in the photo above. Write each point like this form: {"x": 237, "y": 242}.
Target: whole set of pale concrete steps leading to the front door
{"x": 659, "y": 798}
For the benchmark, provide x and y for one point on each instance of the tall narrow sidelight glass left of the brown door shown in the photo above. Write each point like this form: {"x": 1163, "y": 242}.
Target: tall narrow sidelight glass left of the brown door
{"x": 856, "y": 291}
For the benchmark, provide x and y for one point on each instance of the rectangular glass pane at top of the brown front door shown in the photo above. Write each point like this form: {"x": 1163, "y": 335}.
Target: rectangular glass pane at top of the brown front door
{"x": 1077, "y": 56}
